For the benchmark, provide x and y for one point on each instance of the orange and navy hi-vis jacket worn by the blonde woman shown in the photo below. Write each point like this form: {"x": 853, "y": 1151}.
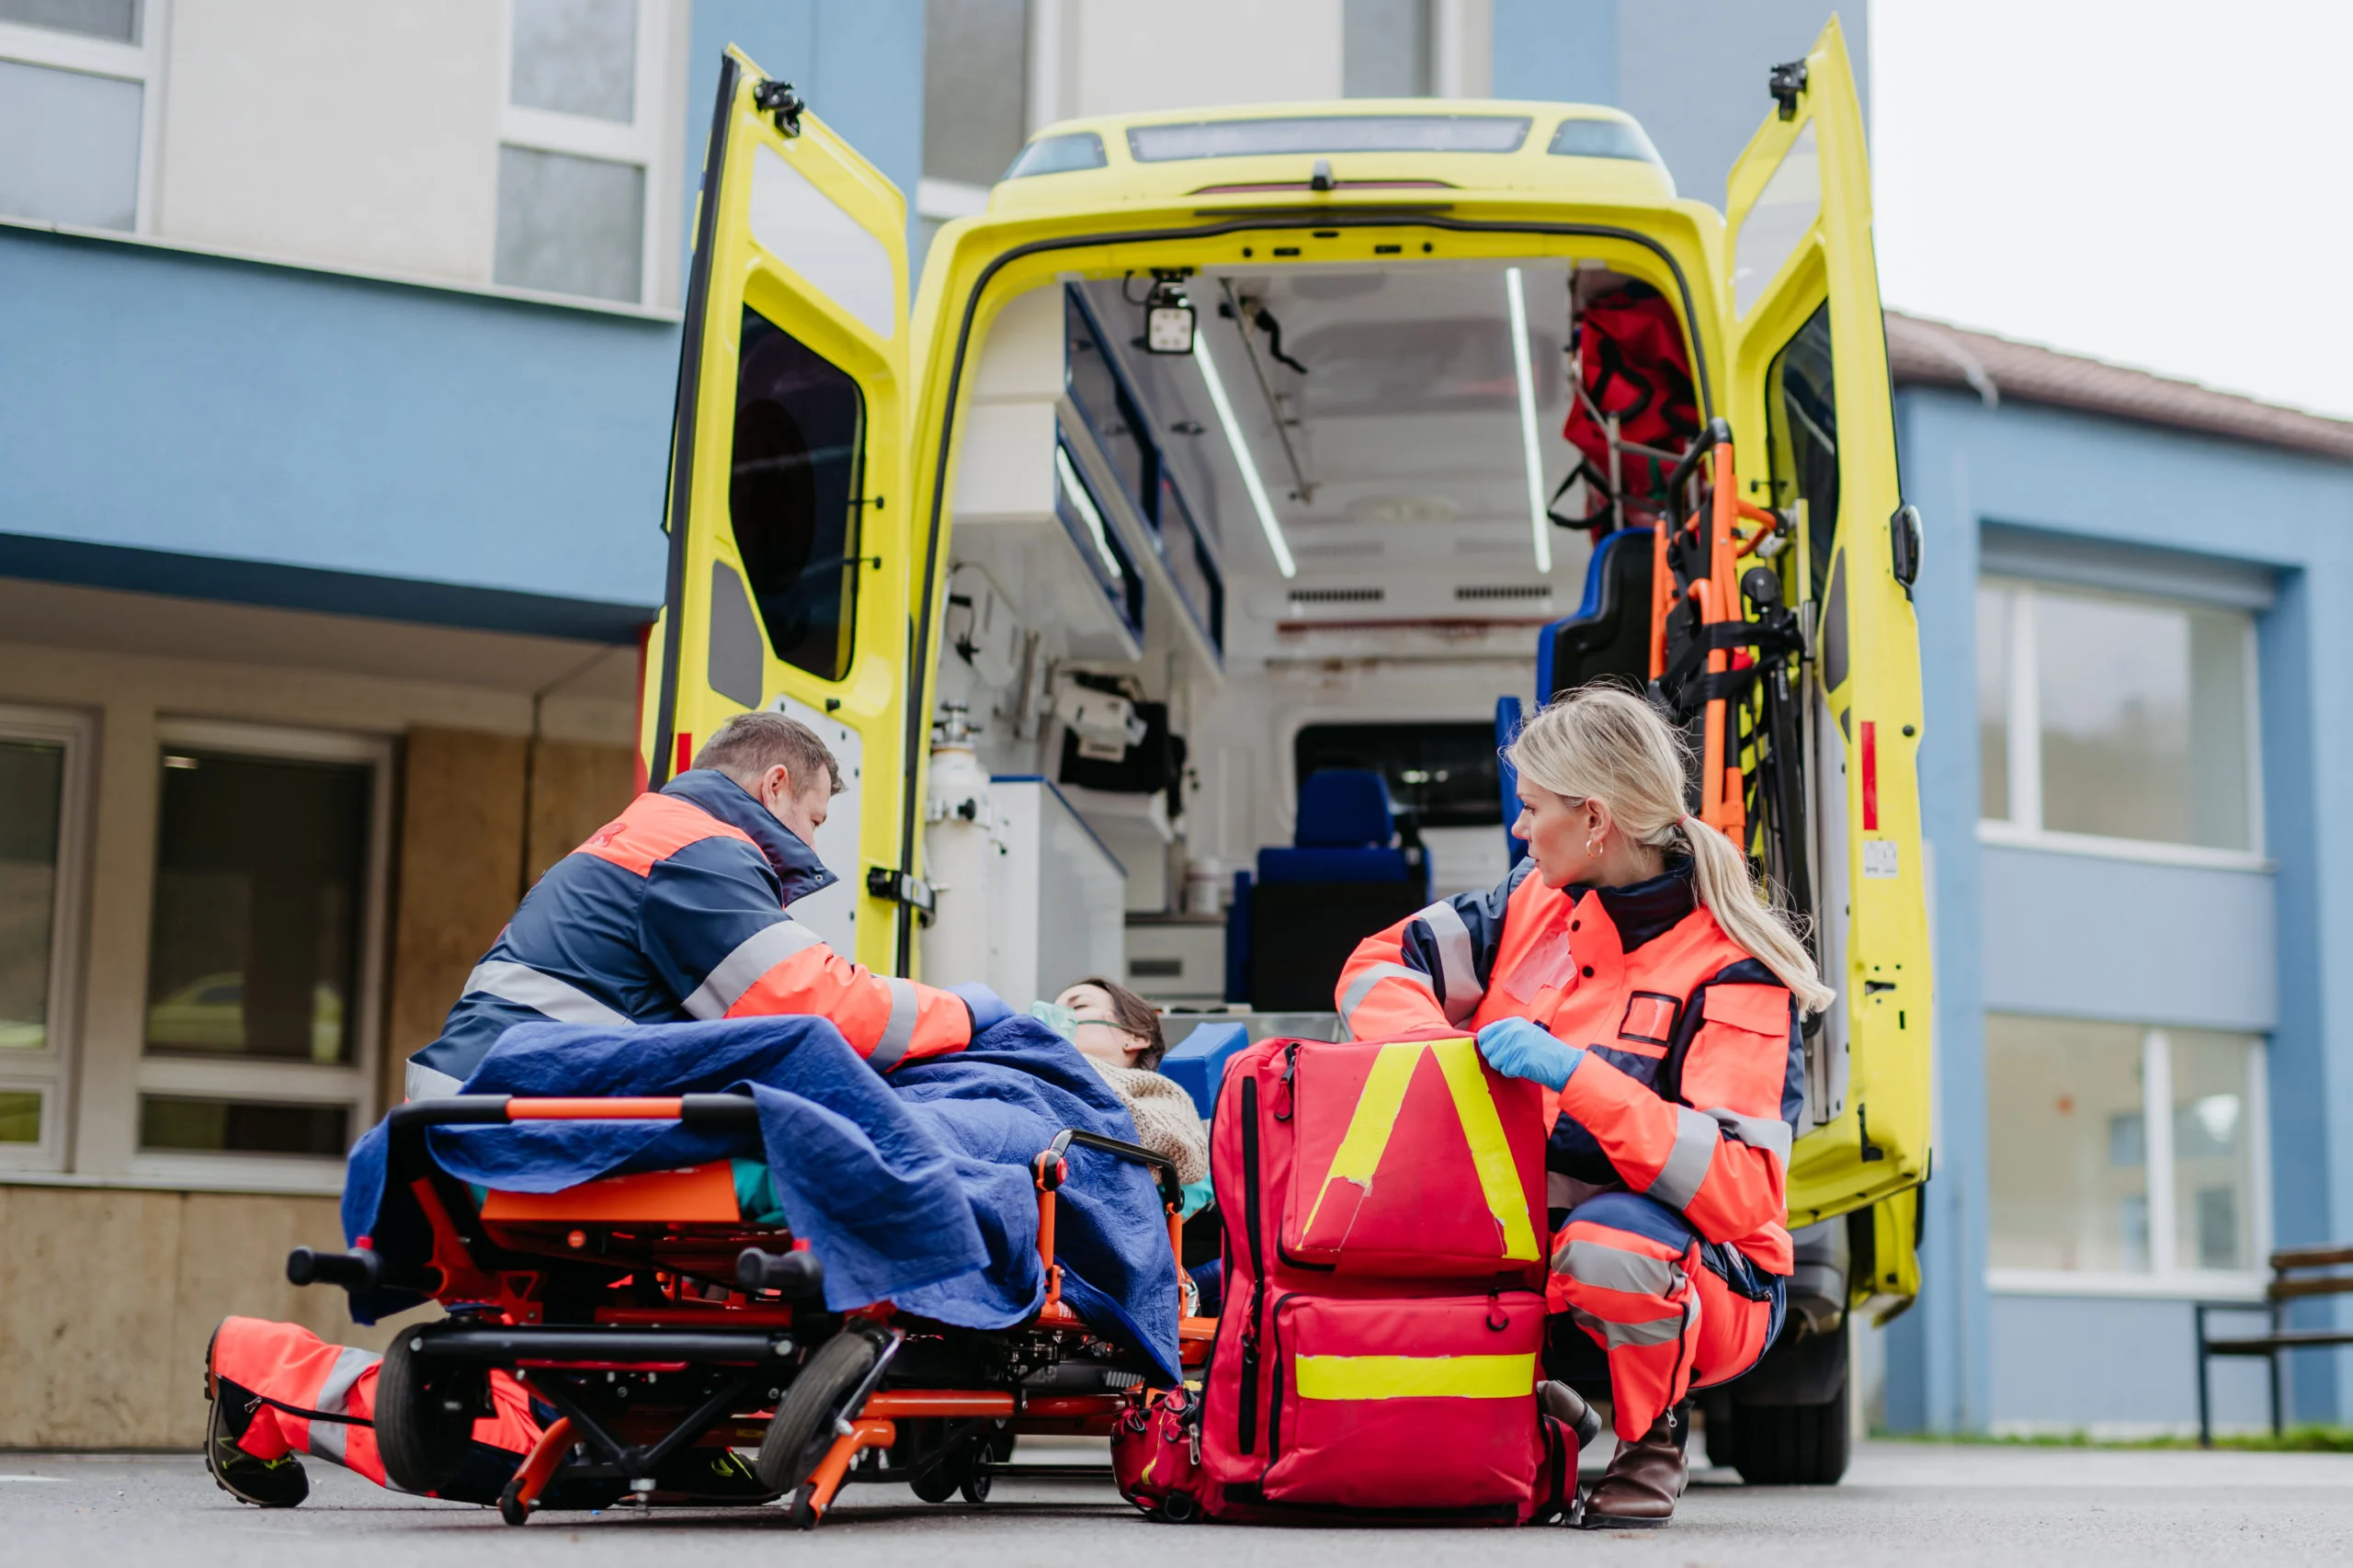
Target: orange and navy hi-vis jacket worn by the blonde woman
{"x": 1695, "y": 1068}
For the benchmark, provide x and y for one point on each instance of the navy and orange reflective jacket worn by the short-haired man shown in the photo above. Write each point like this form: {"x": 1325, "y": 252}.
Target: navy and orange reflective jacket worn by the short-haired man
{"x": 676, "y": 912}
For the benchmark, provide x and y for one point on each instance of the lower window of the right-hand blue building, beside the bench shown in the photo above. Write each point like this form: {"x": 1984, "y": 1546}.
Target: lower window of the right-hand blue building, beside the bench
{"x": 2117, "y": 1150}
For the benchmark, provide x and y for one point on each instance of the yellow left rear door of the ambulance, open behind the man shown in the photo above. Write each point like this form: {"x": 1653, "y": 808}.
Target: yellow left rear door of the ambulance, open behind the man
{"x": 787, "y": 498}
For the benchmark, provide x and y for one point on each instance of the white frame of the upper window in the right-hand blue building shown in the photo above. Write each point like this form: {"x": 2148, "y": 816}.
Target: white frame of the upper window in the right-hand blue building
{"x": 2022, "y": 719}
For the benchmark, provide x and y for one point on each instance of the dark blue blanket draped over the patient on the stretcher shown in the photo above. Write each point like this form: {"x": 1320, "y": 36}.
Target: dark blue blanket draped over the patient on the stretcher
{"x": 912, "y": 1188}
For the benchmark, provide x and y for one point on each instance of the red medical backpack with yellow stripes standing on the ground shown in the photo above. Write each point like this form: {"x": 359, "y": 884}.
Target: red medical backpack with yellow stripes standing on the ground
{"x": 1382, "y": 1336}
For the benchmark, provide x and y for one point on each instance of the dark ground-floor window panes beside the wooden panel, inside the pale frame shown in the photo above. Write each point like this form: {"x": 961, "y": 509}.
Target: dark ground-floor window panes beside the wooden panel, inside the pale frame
{"x": 265, "y": 950}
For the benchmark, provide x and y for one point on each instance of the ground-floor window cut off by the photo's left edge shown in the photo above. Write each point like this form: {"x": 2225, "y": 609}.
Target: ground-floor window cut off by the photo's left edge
{"x": 41, "y": 806}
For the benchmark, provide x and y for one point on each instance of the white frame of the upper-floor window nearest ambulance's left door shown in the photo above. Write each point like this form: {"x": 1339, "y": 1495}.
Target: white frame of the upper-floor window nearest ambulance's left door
{"x": 639, "y": 145}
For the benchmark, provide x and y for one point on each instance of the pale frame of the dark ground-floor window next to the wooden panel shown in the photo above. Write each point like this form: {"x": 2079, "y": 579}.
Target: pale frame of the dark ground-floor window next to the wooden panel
{"x": 281, "y": 1082}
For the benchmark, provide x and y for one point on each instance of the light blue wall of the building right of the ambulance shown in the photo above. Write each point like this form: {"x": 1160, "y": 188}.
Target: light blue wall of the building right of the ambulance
{"x": 2027, "y": 929}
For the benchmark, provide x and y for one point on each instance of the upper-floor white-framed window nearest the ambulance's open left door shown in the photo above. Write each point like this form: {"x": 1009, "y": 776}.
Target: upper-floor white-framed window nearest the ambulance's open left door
{"x": 580, "y": 147}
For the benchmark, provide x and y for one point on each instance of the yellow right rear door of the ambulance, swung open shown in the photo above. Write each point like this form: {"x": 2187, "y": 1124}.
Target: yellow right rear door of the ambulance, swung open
{"x": 1815, "y": 420}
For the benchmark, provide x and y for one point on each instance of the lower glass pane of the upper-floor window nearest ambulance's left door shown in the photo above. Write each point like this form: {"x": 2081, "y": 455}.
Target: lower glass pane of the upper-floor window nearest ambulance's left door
{"x": 571, "y": 225}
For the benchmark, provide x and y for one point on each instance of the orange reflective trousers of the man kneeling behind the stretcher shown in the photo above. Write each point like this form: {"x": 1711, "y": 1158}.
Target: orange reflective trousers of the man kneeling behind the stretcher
{"x": 286, "y": 1390}
